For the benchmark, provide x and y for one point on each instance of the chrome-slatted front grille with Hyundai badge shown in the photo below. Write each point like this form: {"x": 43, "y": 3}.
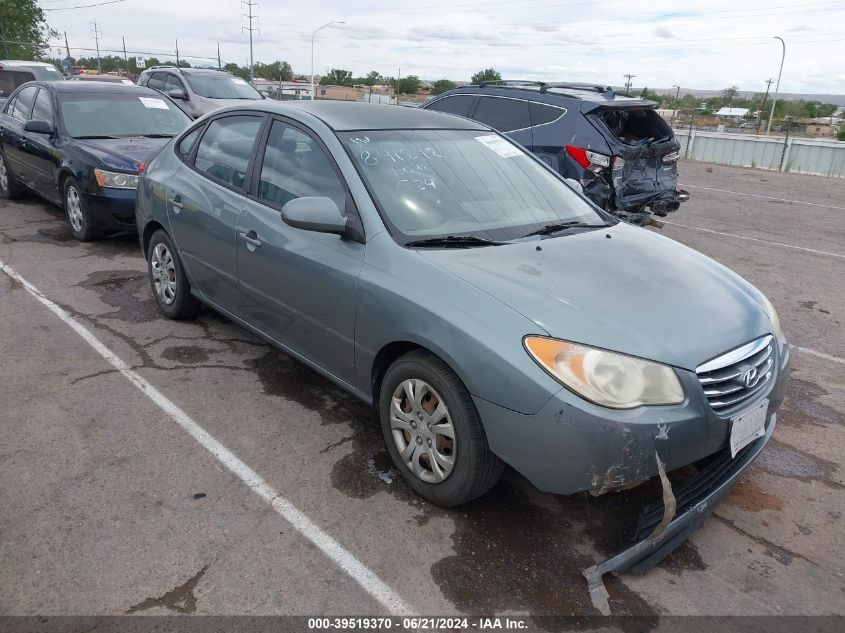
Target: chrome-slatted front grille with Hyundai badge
{"x": 734, "y": 379}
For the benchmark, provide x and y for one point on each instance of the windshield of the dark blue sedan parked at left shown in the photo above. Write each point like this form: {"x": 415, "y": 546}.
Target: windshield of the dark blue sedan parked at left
{"x": 107, "y": 114}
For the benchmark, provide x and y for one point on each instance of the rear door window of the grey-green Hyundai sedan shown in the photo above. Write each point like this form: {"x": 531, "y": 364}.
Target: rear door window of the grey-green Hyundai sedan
{"x": 226, "y": 147}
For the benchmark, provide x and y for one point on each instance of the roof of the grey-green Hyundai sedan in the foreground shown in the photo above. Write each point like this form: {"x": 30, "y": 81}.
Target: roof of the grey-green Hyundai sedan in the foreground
{"x": 346, "y": 116}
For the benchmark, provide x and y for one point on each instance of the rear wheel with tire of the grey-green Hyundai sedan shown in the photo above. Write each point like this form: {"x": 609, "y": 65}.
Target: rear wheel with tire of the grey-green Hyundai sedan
{"x": 168, "y": 281}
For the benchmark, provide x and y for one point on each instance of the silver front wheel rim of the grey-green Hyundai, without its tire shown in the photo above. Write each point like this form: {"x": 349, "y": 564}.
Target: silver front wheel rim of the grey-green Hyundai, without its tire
{"x": 423, "y": 431}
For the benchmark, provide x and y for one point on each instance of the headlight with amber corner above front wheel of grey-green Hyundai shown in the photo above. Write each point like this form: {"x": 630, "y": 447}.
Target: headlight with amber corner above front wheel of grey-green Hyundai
{"x": 606, "y": 378}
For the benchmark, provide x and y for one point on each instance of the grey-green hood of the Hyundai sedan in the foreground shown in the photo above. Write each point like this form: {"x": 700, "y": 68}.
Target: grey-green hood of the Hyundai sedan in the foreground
{"x": 624, "y": 289}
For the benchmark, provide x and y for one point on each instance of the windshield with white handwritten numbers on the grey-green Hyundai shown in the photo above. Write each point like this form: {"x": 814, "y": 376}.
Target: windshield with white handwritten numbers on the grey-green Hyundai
{"x": 439, "y": 183}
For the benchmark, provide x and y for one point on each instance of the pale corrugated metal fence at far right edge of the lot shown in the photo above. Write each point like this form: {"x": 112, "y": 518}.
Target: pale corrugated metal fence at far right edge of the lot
{"x": 819, "y": 157}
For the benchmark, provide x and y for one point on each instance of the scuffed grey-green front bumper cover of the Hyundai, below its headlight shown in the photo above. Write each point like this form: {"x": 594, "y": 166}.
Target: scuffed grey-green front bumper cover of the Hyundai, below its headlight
{"x": 572, "y": 445}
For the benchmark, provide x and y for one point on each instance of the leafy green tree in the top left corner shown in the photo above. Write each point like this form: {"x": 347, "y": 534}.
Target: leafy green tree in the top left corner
{"x": 23, "y": 21}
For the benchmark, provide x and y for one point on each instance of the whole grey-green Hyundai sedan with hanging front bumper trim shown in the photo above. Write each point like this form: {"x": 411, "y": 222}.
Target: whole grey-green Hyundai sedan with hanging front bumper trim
{"x": 491, "y": 313}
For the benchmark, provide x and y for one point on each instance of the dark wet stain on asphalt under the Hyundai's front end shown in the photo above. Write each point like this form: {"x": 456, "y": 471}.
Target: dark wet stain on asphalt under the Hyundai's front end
{"x": 528, "y": 547}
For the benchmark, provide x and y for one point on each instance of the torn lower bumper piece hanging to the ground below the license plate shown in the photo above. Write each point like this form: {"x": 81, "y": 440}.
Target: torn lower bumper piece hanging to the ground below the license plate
{"x": 664, "y": 525}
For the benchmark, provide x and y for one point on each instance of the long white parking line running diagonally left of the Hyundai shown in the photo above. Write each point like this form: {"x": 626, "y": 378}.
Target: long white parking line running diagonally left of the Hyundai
{"x": 344, "y": 559}
